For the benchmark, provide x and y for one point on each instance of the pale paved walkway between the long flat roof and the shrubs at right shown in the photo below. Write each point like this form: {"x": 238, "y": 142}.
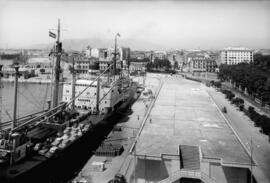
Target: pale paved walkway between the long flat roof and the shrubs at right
{"x": 245, "y": 129}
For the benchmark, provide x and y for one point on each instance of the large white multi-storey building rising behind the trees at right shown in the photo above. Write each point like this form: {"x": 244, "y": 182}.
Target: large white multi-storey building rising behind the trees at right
{"x": 233, "y": 56}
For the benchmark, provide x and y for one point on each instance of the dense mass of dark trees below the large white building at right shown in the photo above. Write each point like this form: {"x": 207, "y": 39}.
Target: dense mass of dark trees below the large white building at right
{"x": 253, "y": 77}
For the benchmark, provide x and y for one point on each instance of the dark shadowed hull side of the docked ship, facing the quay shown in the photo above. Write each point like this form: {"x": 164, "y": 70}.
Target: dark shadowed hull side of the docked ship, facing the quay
{"x": 61, "y": 166}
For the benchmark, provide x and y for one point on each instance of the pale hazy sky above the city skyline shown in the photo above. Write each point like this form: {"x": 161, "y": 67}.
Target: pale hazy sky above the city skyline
{"x": 169, "y": 24}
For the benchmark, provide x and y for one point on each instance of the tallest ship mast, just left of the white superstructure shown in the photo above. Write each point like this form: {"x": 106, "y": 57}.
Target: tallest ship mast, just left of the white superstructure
{"x": 57, "y": 67}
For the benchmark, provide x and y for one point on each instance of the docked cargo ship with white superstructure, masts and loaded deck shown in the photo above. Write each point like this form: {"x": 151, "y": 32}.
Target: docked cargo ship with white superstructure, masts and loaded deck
{"x": 66, "y": 128}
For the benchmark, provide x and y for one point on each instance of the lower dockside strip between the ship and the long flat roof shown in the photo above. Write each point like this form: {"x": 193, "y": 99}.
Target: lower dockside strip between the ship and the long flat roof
{"x": 130, "y": 127}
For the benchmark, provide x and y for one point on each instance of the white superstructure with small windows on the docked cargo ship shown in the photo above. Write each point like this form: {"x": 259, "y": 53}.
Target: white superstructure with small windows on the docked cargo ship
{"x": 108, "y": 94}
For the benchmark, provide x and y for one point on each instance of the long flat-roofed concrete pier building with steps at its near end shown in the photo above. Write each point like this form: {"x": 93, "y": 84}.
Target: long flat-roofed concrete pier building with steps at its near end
{"x": 184, "y": 129}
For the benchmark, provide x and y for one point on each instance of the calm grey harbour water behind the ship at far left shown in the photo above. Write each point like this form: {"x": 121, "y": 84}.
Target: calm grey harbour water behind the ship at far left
{"x": 31, "y": 98}
